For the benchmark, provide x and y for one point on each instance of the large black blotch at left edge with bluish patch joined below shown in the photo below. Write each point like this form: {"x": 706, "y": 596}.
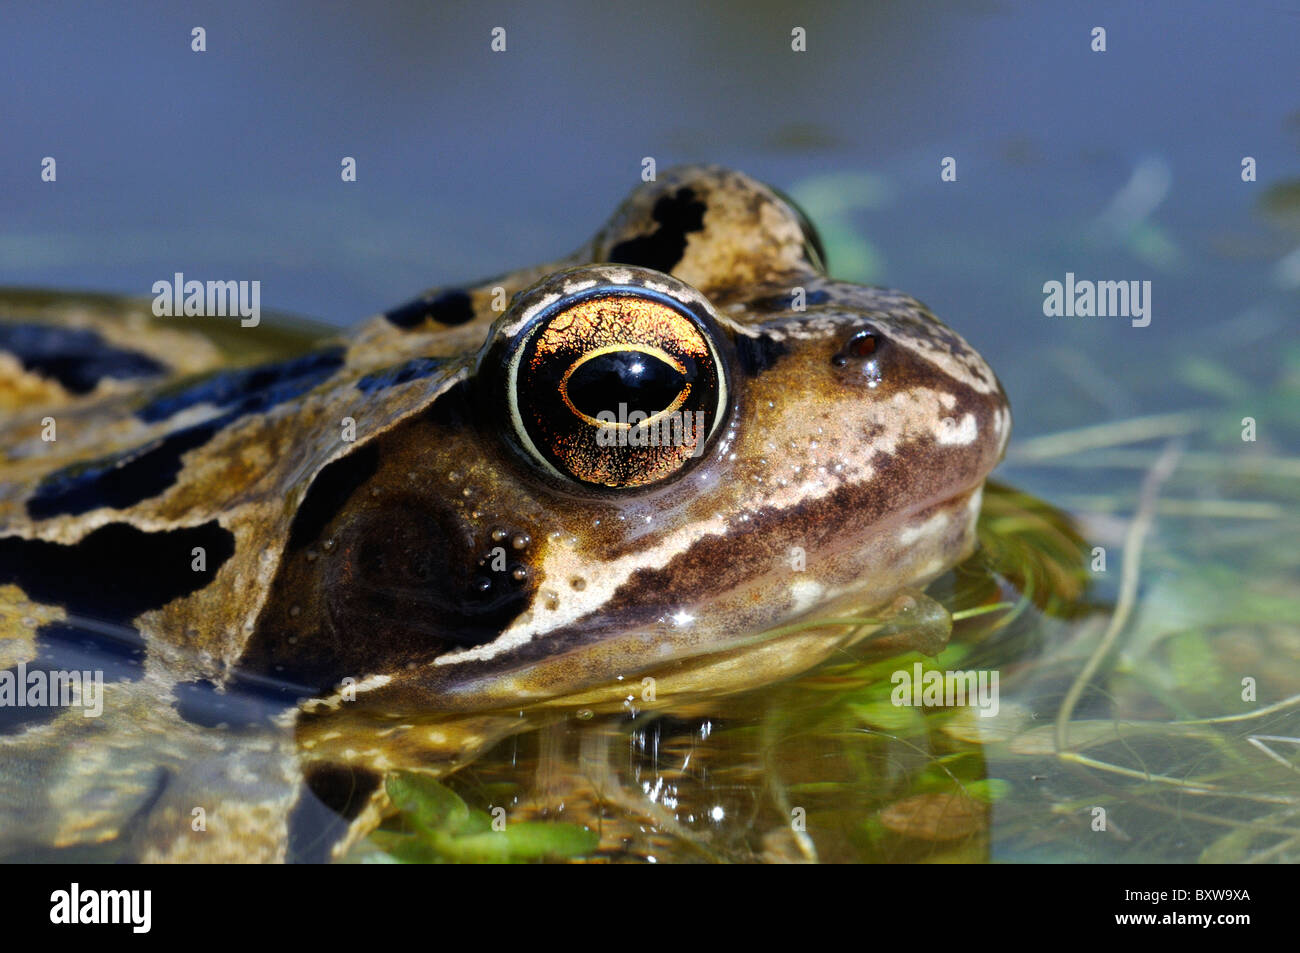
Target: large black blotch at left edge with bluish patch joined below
{"x": 103, "y": 583}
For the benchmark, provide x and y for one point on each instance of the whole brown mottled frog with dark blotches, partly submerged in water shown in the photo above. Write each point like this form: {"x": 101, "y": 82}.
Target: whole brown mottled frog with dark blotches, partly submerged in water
{"x": 675, "y": 458}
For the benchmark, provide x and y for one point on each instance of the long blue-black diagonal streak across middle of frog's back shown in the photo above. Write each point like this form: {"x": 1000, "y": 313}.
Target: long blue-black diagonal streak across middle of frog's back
{"x": 131, "y": 478}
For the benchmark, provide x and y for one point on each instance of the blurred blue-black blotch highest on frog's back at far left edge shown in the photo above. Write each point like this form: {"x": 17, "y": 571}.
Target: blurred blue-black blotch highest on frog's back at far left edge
{"x": 75, "y": 357}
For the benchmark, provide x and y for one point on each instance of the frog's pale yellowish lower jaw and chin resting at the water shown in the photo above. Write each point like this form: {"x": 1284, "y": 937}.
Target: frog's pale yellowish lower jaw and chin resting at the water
{"x": 731, "y": 644}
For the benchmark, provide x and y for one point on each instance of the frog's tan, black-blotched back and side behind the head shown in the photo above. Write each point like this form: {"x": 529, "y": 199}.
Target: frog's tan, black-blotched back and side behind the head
{"x": 150, "y": 475}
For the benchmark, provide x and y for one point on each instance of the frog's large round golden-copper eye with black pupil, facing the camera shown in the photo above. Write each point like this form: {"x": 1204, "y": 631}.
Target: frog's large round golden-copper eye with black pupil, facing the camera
{"x": 618, "y": 385}
